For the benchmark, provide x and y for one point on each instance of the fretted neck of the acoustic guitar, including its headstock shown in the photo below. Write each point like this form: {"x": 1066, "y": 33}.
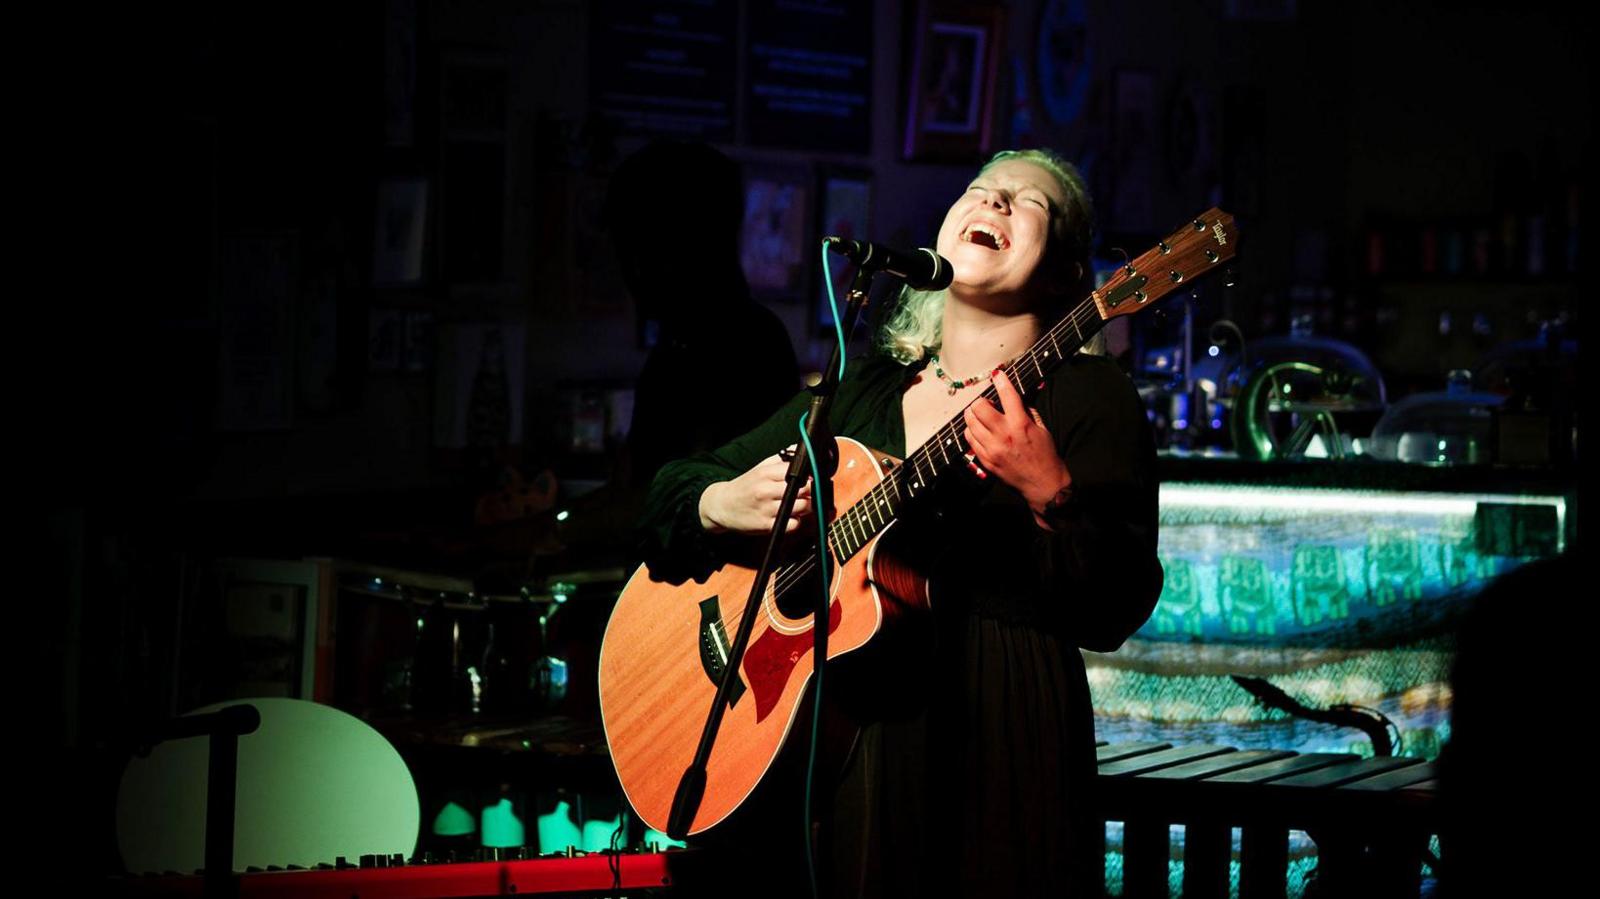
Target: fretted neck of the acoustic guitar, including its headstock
{"x": 1185, "y": 255}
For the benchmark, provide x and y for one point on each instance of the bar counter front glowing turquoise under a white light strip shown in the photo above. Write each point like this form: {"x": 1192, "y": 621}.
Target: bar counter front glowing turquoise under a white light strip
{"x": 1340, "y": 583}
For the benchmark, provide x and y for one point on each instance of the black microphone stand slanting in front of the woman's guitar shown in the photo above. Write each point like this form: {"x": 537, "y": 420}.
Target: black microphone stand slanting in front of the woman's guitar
{"x": 692, "y": 788}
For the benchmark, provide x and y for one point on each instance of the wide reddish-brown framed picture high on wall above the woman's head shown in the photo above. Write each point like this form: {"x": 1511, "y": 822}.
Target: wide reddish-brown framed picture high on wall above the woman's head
{"x": 953, "y": 82}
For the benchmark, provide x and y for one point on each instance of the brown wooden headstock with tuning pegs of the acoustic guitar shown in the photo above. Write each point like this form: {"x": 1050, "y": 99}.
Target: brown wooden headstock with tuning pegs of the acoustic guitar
{"x": 1191, "y": 252}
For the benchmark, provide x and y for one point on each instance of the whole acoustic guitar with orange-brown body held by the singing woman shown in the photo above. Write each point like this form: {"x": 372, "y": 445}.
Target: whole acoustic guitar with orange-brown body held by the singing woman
{"x": 666, "y": 645}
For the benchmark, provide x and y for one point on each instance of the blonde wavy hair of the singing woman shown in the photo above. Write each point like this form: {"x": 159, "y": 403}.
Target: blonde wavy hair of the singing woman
{"x": 916, "y": 327}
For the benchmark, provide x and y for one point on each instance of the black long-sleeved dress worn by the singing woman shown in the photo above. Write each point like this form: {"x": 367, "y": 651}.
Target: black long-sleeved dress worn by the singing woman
{"x": 975, "y": 769}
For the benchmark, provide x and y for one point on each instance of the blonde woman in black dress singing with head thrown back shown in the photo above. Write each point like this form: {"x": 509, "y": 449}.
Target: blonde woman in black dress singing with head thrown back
{"x": 977, "y": 753}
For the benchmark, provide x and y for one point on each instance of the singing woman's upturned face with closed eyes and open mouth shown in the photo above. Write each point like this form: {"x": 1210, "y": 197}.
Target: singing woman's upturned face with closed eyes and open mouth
{"x": 998, "y": 236}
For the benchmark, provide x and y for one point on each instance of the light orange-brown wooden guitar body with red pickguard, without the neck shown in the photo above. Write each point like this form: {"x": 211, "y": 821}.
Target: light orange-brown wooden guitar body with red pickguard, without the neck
{"x": 666, "y": 644}
